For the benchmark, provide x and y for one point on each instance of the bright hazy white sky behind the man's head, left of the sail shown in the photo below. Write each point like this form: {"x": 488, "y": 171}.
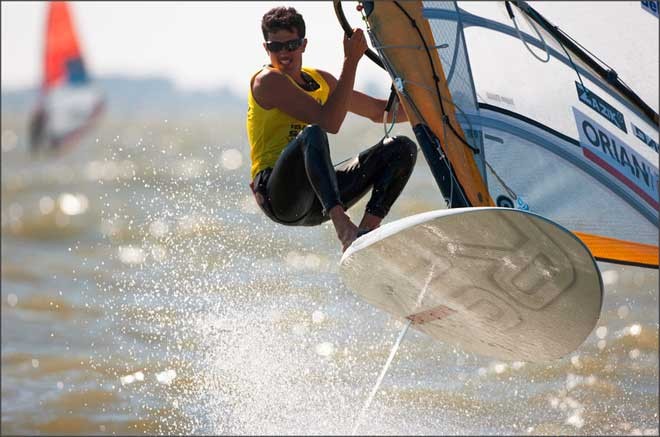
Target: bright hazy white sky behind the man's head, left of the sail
{"x": 197, "y": 44}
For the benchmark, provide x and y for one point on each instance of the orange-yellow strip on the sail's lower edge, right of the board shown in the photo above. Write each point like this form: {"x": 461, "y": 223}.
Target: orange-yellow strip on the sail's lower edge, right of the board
{"x": 620, "y": 251}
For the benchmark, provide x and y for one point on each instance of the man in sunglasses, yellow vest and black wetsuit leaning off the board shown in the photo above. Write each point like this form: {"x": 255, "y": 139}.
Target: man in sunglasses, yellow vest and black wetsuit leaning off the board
{"x": 290, "y": 110}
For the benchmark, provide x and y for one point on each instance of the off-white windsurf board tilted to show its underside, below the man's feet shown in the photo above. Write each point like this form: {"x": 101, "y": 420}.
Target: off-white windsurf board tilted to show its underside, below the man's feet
{"x": 499, "y": 282}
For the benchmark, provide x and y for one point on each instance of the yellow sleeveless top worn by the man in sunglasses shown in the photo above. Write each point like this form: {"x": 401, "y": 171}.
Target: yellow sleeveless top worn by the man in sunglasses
{"x": 270, "y": 130}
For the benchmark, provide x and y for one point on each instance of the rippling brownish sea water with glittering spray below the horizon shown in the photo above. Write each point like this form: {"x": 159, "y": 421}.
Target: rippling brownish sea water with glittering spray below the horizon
{"x": 144, "y": 292}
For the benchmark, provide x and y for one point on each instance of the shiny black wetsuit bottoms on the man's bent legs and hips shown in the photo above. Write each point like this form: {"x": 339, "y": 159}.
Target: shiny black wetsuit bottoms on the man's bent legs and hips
{"x": 303, "y": 185}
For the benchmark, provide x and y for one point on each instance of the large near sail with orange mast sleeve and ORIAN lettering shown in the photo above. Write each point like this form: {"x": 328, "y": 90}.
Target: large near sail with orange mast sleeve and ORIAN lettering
{"x": 511, "y": 111}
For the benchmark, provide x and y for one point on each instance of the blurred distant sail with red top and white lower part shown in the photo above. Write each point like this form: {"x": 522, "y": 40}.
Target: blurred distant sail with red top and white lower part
{"x": 69, "y": 102}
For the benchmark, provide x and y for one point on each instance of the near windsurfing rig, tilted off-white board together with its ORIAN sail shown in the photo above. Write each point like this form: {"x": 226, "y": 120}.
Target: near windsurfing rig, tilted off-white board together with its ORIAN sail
{"x": 511, "y": 113}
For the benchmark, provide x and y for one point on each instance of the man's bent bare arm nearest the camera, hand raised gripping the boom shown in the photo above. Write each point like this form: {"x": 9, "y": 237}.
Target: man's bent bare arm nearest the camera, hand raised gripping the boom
{"x": 272, "y": 89}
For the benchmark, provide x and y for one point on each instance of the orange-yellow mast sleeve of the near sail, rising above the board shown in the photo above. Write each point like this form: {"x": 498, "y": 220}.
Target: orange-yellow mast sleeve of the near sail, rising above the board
{"x": 403, "y": 46}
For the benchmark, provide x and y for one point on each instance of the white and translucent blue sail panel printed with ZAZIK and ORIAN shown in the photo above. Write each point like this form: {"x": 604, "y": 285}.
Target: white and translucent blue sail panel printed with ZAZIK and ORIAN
{"x": 535, "y": 100}
